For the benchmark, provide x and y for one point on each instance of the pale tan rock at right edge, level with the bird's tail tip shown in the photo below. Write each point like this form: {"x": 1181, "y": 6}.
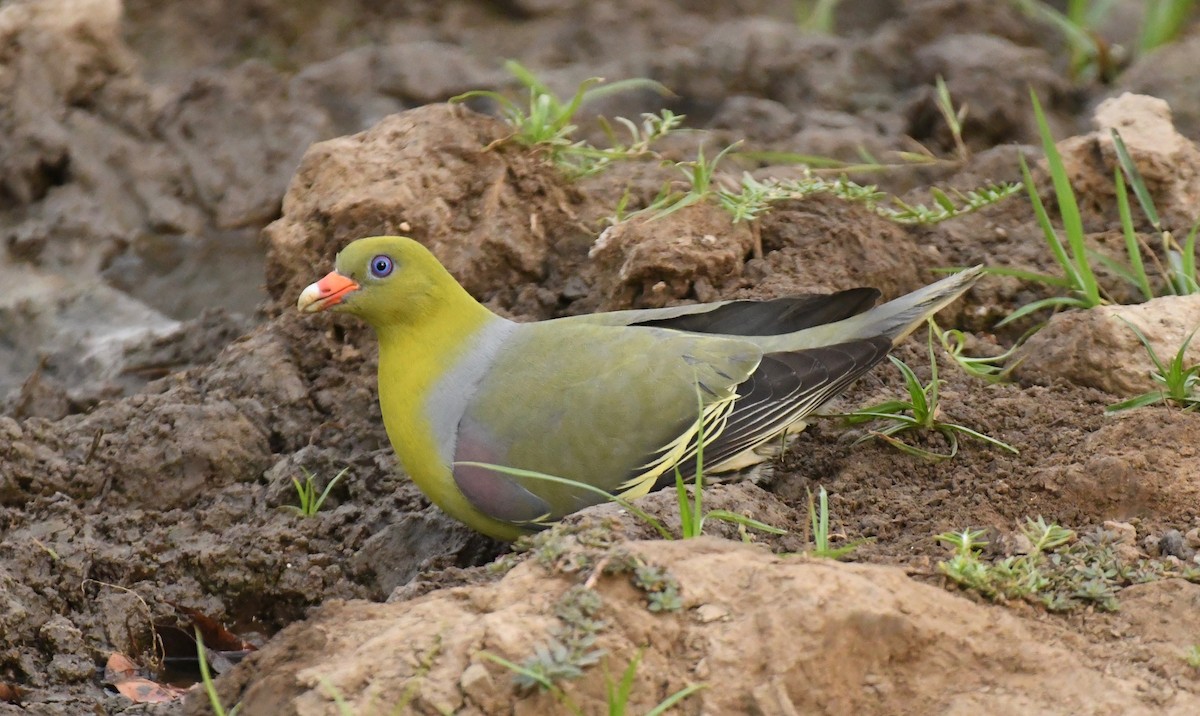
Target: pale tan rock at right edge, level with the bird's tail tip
{"x": 1097, "y": 350}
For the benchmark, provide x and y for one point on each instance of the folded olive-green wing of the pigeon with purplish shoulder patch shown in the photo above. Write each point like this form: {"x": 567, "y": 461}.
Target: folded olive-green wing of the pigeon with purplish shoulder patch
{"x": 610, "y": 407}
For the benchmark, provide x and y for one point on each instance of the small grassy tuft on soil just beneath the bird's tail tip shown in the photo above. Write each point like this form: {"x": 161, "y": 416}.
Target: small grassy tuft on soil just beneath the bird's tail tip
{"x": 920, "y": 412}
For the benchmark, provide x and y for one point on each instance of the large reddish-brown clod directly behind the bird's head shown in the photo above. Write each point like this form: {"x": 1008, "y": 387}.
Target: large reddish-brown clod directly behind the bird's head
{"x": 428, "y": 175}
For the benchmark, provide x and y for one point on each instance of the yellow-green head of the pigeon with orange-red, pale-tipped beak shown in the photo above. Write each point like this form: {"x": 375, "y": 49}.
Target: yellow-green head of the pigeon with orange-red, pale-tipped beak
{"x": 382, "y": 280}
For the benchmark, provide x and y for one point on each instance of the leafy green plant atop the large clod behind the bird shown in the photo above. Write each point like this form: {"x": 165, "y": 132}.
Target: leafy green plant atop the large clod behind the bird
{"x": 547, "y": 123}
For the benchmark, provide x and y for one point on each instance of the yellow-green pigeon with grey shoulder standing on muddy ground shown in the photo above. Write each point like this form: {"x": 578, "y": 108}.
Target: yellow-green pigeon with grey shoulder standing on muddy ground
{"x": 616, "y": 401}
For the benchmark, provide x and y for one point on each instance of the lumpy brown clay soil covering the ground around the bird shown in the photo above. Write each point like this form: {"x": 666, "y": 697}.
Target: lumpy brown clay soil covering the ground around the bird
{"x": 173, "y": 173}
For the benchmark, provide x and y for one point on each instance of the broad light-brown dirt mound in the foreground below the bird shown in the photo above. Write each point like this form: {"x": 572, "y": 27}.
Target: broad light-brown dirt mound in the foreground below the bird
{"x": 813, "y": 637}
